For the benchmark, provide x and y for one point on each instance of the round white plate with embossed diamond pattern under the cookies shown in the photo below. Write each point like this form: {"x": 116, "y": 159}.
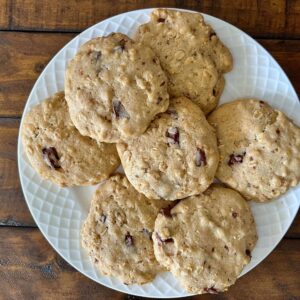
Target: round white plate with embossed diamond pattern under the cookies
{"x": 59, "y": 212}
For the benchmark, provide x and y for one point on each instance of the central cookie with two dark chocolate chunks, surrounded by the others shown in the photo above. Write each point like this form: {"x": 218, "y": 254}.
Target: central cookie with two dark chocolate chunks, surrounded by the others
{"x": 176, "y": 157}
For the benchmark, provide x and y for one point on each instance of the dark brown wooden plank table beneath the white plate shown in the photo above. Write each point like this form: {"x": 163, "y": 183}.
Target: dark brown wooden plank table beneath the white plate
{"x": 31, "y": 32}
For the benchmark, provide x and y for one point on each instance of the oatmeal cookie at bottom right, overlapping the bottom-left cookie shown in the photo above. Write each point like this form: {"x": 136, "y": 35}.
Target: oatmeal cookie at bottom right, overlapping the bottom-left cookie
{"x": 206, "y": 240}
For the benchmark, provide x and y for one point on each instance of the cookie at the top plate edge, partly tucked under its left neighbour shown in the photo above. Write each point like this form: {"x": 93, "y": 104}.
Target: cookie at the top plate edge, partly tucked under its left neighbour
{"x": 191, "y": 54}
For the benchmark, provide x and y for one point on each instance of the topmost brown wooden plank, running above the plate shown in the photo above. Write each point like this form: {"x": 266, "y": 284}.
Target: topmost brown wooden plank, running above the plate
{"x": 267, "y": 18}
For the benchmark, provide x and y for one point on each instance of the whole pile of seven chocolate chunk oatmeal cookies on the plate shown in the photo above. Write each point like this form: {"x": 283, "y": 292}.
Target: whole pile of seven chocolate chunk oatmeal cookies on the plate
{"x": 150, "y": 102}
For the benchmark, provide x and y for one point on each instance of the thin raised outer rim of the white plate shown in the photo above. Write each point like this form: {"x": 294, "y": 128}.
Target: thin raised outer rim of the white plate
{"x": 147, "y": 11}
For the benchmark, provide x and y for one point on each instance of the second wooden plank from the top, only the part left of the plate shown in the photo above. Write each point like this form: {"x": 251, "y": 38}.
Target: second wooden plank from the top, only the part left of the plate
{"x": 23, "y": 56}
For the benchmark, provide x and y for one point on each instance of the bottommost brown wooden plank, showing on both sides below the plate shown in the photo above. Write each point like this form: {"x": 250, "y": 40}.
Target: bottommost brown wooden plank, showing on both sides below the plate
{"x": 26, "y": 259}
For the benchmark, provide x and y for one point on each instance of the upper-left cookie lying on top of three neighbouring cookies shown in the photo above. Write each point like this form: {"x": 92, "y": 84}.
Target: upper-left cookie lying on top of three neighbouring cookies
{"x": 114, "y": 88}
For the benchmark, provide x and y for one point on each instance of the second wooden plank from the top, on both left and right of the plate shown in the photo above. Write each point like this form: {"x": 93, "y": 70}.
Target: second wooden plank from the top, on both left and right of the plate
{"x": 24, "y": 55}
